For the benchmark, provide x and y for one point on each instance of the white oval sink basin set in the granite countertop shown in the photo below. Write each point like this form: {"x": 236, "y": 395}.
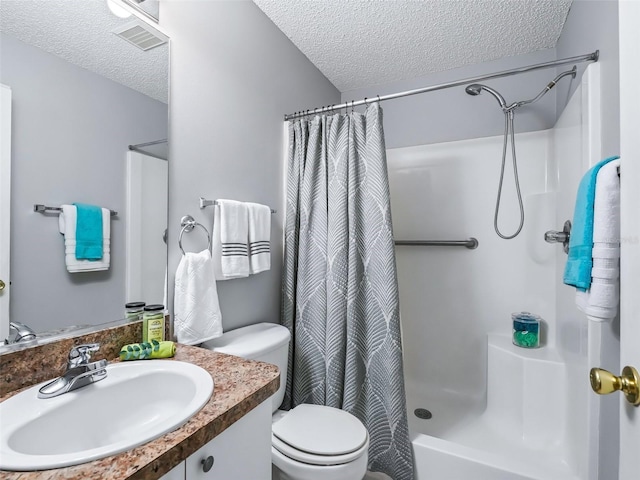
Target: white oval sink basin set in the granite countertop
{"x": 137, "y": 402}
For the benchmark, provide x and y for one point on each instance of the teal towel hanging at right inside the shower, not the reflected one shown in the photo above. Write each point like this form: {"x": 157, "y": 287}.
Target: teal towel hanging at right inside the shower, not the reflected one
{"x": 577, "y": 272}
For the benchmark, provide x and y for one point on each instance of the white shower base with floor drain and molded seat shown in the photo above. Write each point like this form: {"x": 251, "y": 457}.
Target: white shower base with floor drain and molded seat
{"x": 504, "y": 441}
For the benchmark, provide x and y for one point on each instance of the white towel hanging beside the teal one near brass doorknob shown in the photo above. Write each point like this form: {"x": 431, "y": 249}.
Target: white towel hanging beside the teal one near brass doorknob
{"x": 600, "y": 302}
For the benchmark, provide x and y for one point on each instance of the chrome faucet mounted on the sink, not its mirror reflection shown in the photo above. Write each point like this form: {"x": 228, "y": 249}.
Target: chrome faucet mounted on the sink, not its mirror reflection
{"x": 80, "y": 372}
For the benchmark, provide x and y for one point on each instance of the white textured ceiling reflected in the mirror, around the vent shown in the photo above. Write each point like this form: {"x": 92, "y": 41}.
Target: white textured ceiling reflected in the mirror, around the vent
{"x": 79, "y": 31}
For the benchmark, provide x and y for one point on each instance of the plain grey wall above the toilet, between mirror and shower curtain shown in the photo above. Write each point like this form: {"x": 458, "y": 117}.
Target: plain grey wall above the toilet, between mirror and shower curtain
{"x": 233, "y": 77}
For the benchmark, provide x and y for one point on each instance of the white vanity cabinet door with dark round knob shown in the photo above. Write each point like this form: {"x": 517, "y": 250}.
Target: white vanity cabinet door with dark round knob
{"x": 241, "y": 452}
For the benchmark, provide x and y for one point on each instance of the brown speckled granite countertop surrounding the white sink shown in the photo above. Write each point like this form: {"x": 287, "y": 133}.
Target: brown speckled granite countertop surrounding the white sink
{"x": 239, "y": 386}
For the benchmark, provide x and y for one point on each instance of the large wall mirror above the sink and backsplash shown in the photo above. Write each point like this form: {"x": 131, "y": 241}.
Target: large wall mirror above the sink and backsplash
{"x": 83, "y": 90}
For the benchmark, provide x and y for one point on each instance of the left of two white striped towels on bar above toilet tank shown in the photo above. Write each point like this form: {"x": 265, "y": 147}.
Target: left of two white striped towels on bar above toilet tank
{"x": 230, "y": 236}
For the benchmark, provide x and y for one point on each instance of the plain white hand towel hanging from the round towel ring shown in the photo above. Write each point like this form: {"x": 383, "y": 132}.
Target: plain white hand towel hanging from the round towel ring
{"x": 197, "y": 316}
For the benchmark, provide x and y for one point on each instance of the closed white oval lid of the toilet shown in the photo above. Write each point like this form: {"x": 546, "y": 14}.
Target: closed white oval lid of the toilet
{"x": 320, "y": 430}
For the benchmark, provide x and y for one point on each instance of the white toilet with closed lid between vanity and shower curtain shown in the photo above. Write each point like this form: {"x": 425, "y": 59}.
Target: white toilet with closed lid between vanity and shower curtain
{"x": 309, "y": 442}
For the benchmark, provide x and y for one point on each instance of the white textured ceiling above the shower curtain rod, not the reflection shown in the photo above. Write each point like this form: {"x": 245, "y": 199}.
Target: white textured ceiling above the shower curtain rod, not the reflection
{"x": 361, "y": 43}
